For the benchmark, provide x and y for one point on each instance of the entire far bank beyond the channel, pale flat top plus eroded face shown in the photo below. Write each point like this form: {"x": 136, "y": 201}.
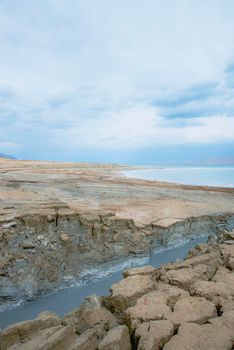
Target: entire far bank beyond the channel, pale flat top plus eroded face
{"x": 59, "y": 219}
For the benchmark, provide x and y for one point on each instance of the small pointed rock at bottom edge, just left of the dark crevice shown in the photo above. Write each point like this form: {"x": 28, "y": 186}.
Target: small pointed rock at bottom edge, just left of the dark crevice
{"x": 116, "y": 339}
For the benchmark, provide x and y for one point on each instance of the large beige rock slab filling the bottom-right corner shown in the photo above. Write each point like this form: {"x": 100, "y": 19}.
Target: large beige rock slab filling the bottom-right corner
{"x": 216, "y": 335}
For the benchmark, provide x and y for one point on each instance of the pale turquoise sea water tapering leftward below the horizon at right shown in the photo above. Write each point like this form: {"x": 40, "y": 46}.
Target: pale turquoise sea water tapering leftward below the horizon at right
{"x": 205, "y": 176}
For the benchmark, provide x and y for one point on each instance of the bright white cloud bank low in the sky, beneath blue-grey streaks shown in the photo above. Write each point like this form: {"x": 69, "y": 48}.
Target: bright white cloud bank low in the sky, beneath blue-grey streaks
{"x": 140, "y": 127}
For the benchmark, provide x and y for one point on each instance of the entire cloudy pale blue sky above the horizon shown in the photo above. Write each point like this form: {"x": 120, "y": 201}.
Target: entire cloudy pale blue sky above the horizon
{"x": 138, "y": 82}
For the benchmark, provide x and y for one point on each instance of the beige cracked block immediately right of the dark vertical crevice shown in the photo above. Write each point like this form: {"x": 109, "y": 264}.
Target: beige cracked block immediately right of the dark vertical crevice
{"x": 151, "y": 306}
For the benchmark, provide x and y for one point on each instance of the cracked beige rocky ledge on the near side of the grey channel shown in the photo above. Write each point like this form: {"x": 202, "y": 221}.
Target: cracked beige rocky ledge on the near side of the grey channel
{"x": 180, "y": 306}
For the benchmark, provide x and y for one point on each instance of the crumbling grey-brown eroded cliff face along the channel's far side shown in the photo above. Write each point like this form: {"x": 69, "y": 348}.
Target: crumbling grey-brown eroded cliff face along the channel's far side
{"x": 40, "y": 251}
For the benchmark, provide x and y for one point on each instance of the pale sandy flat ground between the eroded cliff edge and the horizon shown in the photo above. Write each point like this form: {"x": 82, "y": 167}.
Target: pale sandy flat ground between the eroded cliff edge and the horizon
{"x": 88, "y": 187}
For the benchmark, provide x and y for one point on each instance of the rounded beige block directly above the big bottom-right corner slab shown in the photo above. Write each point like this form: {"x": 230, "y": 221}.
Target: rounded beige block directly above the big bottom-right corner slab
{"x": 192, "y": 309}
